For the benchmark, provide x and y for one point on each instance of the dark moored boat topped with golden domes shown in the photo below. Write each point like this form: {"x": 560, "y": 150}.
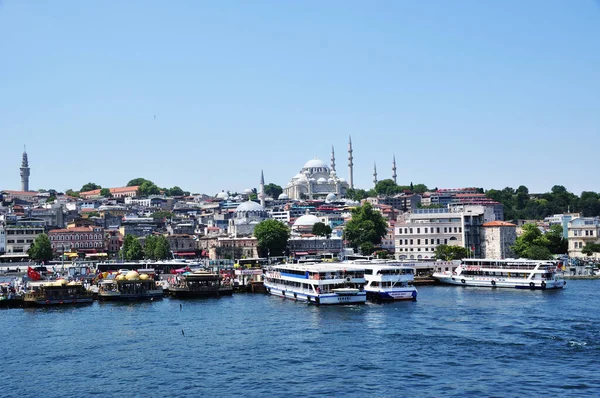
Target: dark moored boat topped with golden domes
{"x": 129, "y": 287}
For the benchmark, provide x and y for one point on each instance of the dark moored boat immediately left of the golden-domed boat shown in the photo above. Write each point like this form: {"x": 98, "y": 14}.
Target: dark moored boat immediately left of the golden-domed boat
{"x": 55, "y": 292}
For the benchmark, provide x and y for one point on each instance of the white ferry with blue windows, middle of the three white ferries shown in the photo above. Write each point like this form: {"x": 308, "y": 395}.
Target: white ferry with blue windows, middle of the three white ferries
{"x": 386, "y": 280}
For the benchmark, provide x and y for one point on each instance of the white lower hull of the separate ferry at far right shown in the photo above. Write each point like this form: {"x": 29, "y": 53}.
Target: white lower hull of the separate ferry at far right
{"x": 500, "y": 282}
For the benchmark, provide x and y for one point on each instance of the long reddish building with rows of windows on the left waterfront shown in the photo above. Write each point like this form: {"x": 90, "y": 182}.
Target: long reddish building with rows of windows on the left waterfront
{"x": 78, "y": 239}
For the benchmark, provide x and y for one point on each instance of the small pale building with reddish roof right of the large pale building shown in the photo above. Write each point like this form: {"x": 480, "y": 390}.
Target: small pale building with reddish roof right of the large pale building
{"x": 497, "y": 239}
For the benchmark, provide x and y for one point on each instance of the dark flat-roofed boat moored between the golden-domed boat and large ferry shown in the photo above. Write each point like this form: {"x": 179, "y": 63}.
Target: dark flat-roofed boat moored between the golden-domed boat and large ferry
{"x": 199, "y": 283}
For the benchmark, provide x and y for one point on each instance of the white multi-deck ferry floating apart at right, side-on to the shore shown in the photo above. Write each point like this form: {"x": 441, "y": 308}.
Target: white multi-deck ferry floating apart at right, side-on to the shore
{"x": 508, "y": 273}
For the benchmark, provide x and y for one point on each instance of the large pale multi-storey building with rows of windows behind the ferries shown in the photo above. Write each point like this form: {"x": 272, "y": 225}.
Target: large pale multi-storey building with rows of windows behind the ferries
{"x": 417, "y": 234}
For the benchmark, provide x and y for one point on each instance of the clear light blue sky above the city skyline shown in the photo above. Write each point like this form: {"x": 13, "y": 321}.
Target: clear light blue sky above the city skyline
{"x": 206, "y": 94}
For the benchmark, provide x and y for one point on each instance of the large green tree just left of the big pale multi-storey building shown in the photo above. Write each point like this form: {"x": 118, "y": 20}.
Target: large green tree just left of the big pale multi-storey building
{"x": 367, "y": 225}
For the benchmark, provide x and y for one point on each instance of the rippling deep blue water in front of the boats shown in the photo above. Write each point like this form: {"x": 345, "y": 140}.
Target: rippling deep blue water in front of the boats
{"x": 453, "y": 341}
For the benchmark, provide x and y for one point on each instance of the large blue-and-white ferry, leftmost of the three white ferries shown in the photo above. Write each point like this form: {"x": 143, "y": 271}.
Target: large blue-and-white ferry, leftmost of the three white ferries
{"x": 319, "y": 284}
